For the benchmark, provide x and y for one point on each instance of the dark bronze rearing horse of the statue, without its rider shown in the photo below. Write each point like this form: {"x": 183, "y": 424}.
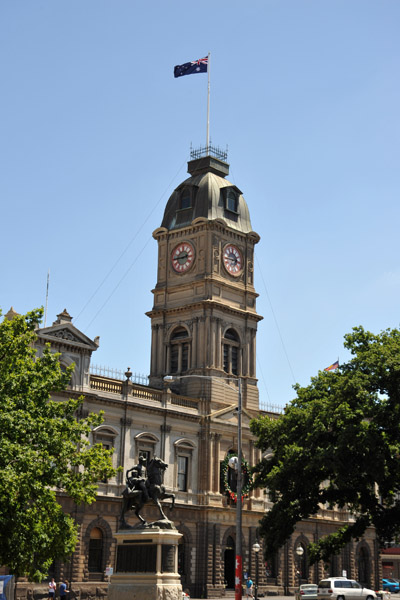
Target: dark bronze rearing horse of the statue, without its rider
{"x": 135, "y": 499}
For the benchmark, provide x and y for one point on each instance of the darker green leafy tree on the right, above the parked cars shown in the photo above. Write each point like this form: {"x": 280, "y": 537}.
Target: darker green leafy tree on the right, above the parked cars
{"x": 337, "y": 443}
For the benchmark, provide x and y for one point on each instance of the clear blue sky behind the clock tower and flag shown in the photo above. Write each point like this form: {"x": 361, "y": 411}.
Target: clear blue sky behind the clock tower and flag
{"x": 95, "y": 134}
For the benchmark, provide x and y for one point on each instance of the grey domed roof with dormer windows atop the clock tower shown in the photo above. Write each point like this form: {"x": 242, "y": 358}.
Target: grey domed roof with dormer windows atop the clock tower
{"x": 206, "y": 193}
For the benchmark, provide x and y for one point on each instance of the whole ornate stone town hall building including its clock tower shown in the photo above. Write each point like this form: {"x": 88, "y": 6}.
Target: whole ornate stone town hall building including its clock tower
{"x": 203, "y": 339}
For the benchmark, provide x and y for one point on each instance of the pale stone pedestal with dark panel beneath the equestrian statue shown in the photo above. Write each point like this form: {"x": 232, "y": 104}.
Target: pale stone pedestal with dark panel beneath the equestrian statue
{"x": 146, "y": 565}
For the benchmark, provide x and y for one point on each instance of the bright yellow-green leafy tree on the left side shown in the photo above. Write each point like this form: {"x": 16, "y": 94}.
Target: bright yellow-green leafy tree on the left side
{"x": 44, "y": 449}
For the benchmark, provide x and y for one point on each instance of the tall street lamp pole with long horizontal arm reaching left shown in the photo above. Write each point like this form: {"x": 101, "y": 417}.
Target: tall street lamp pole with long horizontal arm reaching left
{"x": 239, "y": 485}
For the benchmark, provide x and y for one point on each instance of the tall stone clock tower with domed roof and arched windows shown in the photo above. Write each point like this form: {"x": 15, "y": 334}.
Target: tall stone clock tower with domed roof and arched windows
{"x": 204, "y": 318}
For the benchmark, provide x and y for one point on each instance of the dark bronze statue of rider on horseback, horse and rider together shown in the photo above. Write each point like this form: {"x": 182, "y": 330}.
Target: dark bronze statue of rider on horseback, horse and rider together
{"x": 141, "y": 489}
